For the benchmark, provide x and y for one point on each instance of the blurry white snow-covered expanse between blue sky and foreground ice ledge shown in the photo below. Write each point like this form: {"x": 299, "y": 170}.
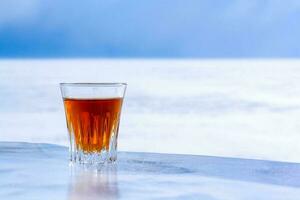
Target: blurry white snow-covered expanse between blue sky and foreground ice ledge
{"x": 237, "y": 108}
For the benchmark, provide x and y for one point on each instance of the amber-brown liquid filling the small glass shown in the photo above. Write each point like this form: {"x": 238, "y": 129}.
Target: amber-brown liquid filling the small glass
{"x": 93, "y": 122}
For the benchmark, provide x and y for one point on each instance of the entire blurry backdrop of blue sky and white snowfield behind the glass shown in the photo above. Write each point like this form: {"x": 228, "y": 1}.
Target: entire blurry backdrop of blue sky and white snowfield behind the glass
{"x": 205, "y": 77}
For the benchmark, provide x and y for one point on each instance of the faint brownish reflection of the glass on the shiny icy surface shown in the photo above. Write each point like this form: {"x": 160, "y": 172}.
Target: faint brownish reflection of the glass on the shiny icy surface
{"x": 93, "y": 184}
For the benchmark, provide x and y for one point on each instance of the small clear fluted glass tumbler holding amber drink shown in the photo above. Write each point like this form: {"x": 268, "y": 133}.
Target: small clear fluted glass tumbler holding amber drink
{"x": 93, "y": 116}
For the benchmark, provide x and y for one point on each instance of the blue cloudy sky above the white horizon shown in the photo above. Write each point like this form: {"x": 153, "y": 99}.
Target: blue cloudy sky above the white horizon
{"x": 150, "y": 28}
